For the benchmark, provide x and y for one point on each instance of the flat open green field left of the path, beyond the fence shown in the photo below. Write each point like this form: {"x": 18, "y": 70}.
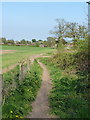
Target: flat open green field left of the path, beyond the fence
{"x": 22, "y": 52}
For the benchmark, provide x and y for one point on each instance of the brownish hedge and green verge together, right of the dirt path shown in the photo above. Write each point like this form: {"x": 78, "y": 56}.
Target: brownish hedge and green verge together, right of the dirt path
{"x": 69, "y": 97}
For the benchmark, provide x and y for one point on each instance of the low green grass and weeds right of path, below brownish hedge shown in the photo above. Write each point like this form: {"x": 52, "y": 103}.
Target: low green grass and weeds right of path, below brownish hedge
{"x": 65, "y": 99}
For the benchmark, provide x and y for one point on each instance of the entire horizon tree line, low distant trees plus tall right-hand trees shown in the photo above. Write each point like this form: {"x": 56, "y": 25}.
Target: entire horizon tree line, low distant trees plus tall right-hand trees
{"x": 62, "y": 30}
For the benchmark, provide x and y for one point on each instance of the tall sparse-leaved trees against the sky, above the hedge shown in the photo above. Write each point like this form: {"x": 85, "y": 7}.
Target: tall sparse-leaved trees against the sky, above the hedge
{"x": 69, "y": 30}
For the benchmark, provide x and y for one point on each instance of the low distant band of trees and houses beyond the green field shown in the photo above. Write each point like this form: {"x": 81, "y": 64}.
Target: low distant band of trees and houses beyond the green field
{"x": 50, "y": 42}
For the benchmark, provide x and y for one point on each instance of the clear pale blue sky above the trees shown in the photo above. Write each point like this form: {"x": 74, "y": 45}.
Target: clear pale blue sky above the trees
{"x": 28, "y": 20}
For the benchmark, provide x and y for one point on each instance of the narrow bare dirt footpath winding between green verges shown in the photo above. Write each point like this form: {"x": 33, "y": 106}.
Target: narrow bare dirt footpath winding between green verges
{"x": 41, "y": 105}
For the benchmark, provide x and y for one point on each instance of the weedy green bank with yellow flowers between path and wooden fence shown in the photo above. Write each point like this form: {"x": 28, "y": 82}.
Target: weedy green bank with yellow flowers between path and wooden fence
{"x": 18, "y": 102}
